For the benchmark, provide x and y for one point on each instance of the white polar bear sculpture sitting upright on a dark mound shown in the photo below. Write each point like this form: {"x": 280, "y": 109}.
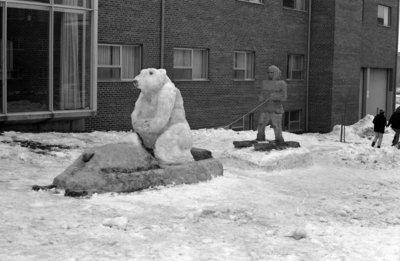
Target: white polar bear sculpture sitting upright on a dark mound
{"x": 159, "y": 117}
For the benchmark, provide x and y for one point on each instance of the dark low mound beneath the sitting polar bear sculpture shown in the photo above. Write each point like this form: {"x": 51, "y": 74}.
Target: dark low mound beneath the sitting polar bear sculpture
{"x": 82, "y": 177}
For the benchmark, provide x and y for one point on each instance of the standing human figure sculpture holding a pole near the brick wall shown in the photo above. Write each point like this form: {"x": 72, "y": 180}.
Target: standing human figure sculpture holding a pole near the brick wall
{"x": 274, "y": 90}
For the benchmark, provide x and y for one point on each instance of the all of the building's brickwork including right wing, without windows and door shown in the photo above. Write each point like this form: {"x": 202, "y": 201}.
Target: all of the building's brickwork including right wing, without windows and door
{"x": 345, "y": 37}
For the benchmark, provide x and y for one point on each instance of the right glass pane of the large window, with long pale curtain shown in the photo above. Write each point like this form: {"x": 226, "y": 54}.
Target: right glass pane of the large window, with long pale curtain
{"x": 71, "y": 61}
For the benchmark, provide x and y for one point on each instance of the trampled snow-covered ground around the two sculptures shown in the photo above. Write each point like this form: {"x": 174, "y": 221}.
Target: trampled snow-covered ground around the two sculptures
{"x": 324, "y": 201}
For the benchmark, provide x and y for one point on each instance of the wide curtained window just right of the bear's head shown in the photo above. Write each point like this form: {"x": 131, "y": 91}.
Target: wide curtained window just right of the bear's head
{"x": 190, "y": 64}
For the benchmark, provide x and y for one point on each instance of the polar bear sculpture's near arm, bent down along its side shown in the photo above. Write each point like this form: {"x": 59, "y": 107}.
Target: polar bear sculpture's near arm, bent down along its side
{"x": 165, "y": 105}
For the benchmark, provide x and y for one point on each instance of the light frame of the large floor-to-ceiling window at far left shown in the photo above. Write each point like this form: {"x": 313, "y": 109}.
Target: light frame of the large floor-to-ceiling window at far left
{"x": 52, "y": 112}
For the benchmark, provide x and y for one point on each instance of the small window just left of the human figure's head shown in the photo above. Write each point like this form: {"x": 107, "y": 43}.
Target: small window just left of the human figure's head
{"x": 243, "y": 65}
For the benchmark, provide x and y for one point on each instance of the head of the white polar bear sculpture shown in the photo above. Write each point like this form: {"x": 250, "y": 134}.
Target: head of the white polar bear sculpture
{"x": 151, "y": 80}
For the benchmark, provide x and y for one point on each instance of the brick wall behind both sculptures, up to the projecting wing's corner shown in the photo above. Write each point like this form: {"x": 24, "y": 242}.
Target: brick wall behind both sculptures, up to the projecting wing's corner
{"x": 221, "y": 27}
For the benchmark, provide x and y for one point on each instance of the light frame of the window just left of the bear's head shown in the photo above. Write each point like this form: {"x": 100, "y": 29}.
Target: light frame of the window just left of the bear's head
{"x": 120, "y": 66}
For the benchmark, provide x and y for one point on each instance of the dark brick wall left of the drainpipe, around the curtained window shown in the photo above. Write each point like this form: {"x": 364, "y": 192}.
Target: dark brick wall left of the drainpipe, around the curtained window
{"x": 125, "y": 22}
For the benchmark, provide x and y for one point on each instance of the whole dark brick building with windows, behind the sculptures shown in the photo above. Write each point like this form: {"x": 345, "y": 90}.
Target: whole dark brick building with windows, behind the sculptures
{"x": 337, "y": 56}
